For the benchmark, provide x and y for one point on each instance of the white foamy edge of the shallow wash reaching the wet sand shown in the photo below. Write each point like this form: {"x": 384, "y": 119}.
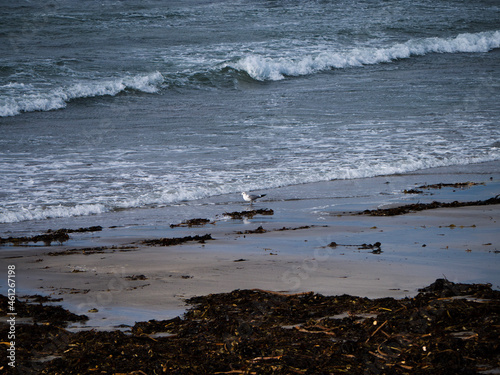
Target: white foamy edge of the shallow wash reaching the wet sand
{"x": 168, "y": 191}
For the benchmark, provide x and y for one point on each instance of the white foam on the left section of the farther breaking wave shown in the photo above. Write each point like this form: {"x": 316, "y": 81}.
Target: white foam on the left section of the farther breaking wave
{"x": 38, "y": 100}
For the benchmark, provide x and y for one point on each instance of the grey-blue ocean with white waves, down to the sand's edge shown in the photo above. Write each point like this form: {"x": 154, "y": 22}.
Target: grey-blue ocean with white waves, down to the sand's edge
{"x": 107, "y": 106}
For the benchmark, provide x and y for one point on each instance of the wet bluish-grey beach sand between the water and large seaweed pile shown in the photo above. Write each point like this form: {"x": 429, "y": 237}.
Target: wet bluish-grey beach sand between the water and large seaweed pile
{"x": 115, "y": 279}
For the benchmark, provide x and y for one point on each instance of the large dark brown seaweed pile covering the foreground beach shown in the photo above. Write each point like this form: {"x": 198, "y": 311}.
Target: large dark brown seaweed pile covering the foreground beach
{"x": 447, "y": 328}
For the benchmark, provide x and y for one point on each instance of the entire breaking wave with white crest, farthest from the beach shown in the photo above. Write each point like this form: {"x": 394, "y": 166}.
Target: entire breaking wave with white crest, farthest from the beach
{"x": 259, "y": 66}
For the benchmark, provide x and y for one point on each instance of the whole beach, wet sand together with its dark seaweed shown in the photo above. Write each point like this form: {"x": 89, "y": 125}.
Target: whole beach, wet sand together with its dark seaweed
{"x": 285, "y": 292}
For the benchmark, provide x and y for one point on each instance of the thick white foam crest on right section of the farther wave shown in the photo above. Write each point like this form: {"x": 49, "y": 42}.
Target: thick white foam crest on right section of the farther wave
{"x": 264, "y": 68}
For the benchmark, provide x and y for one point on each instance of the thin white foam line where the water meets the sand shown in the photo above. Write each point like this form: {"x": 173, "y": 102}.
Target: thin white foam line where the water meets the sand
{"x": 182, "y": 192}
